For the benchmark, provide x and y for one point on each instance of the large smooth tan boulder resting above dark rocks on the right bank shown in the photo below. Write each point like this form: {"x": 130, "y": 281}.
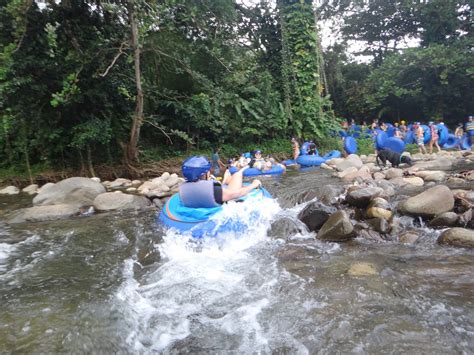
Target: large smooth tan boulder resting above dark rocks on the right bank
{"x": 434, "y": 201}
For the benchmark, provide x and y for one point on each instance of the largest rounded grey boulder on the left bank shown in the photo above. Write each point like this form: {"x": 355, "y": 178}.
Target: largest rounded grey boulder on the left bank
{"x": 75, "y": 191}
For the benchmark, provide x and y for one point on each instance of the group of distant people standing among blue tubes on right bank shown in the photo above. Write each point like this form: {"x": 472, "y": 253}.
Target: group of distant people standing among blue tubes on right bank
{"x": 401, "y": 130}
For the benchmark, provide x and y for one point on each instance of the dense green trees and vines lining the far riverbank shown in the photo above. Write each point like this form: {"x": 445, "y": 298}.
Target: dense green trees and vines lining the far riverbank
{"x": 92, "y": 82}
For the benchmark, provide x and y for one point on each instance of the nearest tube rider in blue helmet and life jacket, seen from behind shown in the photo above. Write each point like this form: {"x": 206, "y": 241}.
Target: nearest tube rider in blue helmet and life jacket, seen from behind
{"x": 201, "y": 191}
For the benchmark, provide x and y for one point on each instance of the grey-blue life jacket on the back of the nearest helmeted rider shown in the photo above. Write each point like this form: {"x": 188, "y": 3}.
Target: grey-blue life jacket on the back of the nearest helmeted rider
{"x": 199, "y": 194}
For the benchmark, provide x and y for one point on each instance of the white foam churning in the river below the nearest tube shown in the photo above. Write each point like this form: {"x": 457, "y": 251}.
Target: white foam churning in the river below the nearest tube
{"x": 216, "y": 287}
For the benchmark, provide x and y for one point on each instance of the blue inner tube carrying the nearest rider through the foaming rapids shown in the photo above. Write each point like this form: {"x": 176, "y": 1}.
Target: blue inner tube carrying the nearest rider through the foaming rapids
{"x": 198, "y": 220}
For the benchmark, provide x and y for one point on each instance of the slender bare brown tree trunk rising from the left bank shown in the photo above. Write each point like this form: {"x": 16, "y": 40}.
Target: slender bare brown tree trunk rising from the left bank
{"x": 132, "y": 147}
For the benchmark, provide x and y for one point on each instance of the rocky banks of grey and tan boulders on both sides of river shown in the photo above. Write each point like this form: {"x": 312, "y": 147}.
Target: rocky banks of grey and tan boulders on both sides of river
{"x": 376, "y": 204}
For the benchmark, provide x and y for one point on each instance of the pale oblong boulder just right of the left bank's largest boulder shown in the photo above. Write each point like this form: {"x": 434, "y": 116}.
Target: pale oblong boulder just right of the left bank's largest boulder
{"x": 119, "y": 201}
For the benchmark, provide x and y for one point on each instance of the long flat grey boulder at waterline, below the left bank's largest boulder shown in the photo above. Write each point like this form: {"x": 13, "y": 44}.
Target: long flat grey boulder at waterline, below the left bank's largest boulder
{"x": 42, "y": 213}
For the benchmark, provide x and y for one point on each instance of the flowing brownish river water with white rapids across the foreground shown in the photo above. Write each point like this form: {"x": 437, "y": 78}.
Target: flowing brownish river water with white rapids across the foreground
{"x": 119, "y": 283}
